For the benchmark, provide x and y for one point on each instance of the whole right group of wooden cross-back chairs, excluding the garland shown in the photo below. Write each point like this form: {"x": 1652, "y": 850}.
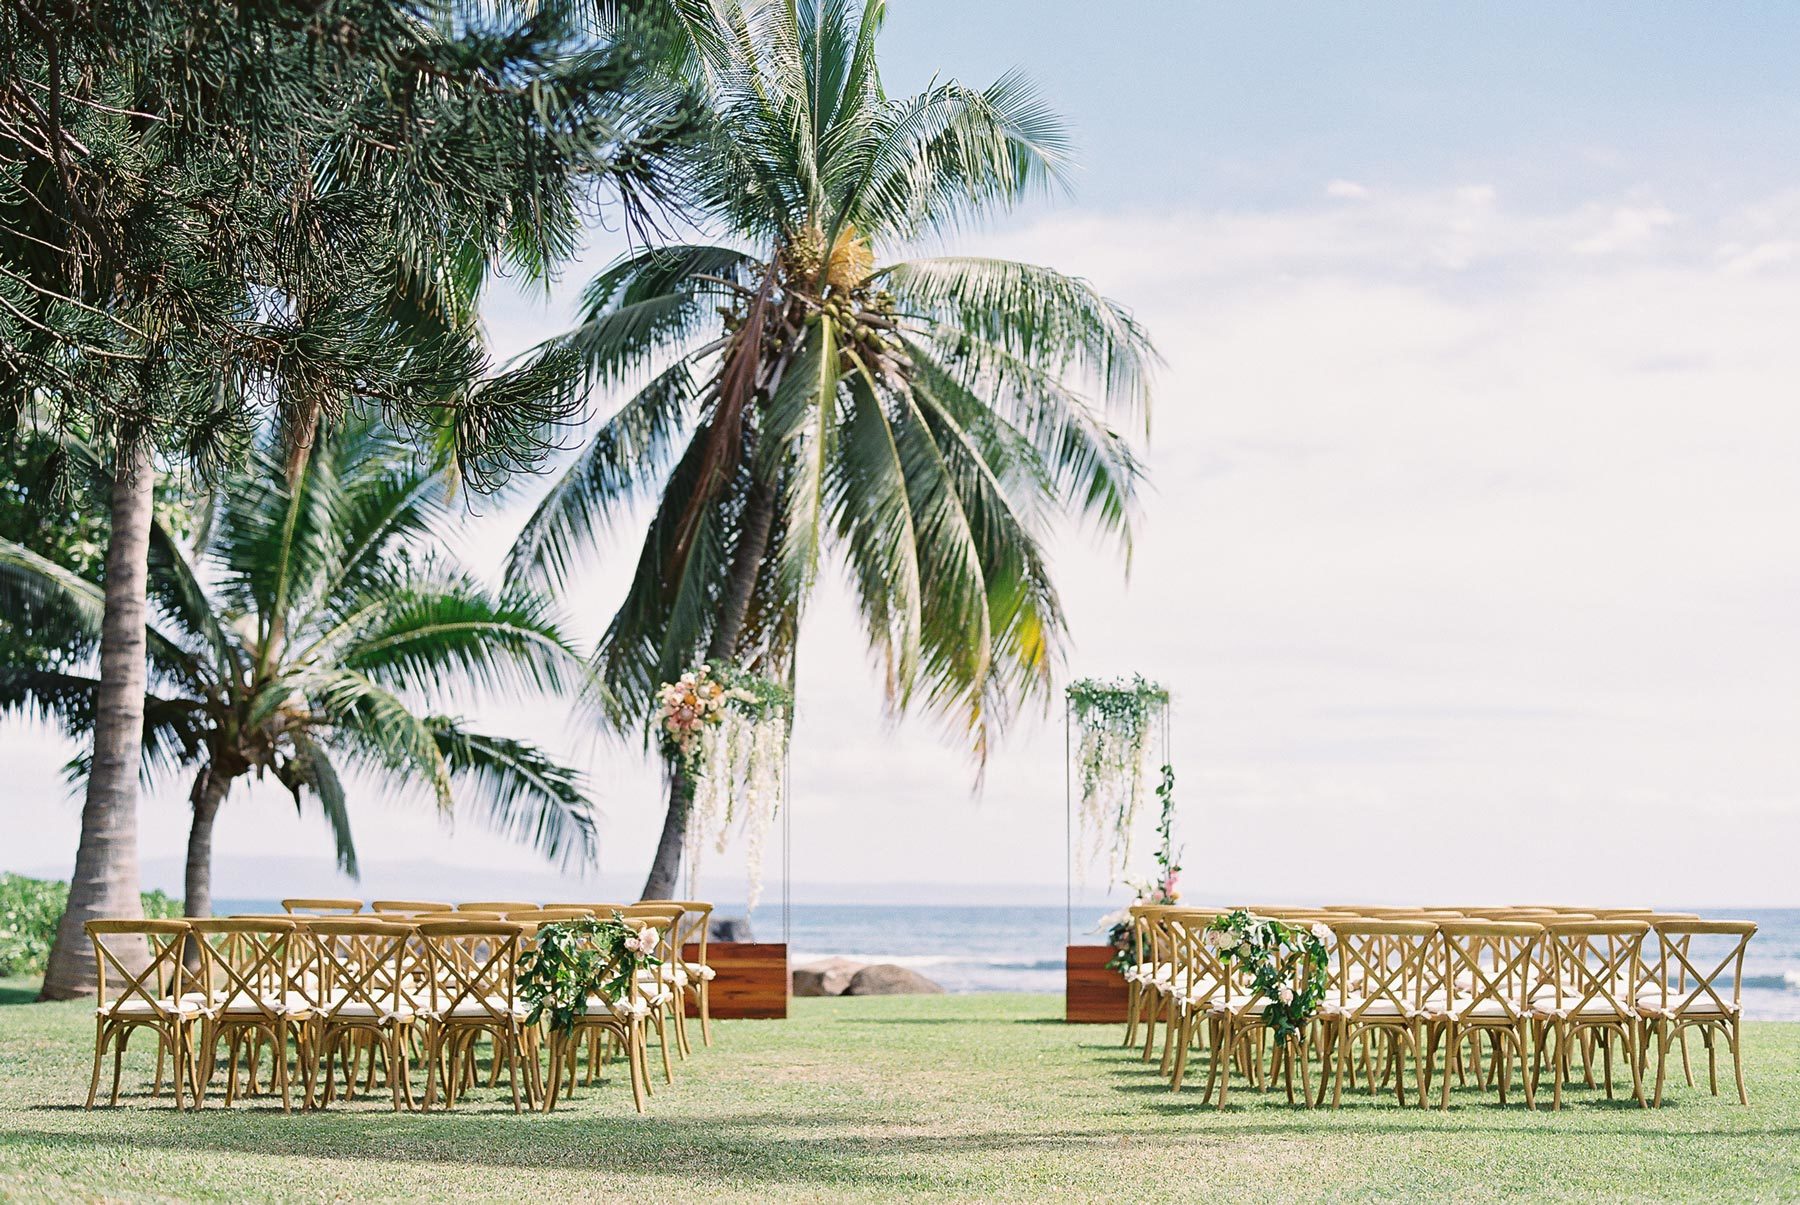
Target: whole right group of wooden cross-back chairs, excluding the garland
{"x": 1540, "y": 988}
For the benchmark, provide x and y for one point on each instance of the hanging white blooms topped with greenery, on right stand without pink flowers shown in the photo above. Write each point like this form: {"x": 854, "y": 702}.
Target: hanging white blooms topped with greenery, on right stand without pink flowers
{"x": 1115, "y": 720}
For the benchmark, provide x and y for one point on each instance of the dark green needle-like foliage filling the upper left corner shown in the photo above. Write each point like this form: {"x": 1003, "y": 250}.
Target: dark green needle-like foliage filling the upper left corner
{"x": 217, "y": 213}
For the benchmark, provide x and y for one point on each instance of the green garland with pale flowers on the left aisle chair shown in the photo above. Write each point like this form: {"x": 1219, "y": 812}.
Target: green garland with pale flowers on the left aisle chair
{"x": 577, "y": 961}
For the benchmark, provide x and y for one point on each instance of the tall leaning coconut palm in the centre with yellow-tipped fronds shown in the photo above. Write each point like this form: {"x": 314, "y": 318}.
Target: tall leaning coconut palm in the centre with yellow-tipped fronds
{"x": 922, "y": 417}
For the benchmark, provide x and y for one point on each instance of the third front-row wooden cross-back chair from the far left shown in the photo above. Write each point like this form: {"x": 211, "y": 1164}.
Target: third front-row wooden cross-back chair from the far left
{"x": 370, "y": 995}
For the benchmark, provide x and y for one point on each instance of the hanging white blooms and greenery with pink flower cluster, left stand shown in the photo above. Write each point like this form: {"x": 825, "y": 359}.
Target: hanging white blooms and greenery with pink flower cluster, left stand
{"x": 728, "y": 729}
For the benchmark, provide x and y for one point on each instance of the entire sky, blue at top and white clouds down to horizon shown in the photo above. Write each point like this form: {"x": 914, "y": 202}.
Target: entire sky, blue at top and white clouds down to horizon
{"x": 1468, "y": 548}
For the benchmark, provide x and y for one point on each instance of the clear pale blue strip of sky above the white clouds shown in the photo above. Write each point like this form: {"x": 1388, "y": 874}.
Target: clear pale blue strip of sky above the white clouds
{"x": 1254, "y": 104}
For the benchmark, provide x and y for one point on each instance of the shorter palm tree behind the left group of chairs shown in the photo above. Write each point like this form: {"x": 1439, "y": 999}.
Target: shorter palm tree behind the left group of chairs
{"x": 307, "y": 633}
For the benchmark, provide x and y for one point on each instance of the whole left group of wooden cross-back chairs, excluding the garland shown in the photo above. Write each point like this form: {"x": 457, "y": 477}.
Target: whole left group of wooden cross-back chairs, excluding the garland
{"x": 411, "y": 981}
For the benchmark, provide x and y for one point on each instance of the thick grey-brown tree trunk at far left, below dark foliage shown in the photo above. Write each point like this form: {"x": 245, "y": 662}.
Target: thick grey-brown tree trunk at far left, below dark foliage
{"x": 105, "y": 882}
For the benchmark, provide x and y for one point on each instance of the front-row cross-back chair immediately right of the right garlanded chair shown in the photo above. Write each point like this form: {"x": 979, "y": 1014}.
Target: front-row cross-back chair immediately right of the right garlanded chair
{"x": 1378, "y": 993}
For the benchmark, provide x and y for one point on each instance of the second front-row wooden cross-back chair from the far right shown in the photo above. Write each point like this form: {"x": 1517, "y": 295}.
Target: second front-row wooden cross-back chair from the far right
{"x": 1592, "y": 997}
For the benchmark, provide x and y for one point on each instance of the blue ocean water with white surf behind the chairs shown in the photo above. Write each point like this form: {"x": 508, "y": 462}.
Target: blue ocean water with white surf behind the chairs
{"x": 985, "y": 948}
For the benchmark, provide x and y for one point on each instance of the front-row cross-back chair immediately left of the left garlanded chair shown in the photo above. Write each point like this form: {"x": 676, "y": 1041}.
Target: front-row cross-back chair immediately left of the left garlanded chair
{"x": 474, "y": 990}
